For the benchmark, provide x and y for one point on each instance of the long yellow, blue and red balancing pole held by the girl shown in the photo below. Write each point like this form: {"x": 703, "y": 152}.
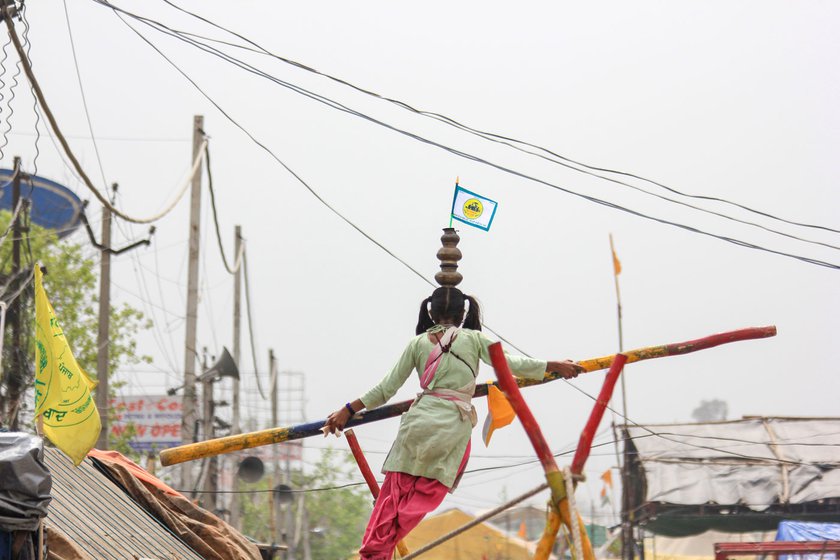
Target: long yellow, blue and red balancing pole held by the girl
{"x": 239, "y": 442}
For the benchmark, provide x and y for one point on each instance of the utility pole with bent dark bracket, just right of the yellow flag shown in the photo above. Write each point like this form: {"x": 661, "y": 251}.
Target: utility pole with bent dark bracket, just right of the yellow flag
{"x": 103, "y": 340}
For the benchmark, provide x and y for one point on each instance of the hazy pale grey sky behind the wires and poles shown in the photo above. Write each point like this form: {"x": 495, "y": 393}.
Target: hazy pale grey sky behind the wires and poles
{"x": 731, "y": 100}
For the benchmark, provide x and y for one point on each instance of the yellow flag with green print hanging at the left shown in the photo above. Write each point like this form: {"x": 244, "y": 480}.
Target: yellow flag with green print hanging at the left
{"x": 62, "y": 388}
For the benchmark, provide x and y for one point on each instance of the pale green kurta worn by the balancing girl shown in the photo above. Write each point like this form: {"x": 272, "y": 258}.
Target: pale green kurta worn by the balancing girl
{"x": 433, "y": 434}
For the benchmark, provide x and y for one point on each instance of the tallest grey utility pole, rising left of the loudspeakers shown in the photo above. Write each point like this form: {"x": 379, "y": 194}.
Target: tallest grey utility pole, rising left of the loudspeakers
{"x": 189, "y": 416}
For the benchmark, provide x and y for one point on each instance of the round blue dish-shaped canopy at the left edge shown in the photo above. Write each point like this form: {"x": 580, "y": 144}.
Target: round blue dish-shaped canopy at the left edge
{"x": 53, "y": 206}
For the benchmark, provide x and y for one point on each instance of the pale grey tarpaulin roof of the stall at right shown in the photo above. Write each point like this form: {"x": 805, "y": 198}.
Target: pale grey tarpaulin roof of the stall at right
{"x": 756, "y": 464}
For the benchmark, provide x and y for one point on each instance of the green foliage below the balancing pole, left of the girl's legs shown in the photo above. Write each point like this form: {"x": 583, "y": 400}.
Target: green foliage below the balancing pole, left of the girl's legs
{"x": 334, "y": 517}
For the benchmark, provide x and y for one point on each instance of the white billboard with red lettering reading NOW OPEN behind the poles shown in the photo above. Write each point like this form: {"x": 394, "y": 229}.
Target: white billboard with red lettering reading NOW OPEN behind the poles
{"x": 155, "y": 419}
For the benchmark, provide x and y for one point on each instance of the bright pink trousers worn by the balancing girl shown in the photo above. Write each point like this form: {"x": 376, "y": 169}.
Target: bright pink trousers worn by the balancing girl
{"x": 403, "y": 501}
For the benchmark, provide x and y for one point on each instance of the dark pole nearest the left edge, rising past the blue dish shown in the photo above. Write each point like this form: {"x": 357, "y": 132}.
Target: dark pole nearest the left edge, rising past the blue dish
{"x": 15, "y": 375}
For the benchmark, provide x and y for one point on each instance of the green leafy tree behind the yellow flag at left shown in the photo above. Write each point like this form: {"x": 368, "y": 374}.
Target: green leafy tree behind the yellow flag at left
{"x": 70, "y": 283}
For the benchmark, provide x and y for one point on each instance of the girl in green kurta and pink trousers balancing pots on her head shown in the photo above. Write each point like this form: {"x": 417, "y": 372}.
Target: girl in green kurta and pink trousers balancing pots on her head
{"x": 433, "y": 443}
